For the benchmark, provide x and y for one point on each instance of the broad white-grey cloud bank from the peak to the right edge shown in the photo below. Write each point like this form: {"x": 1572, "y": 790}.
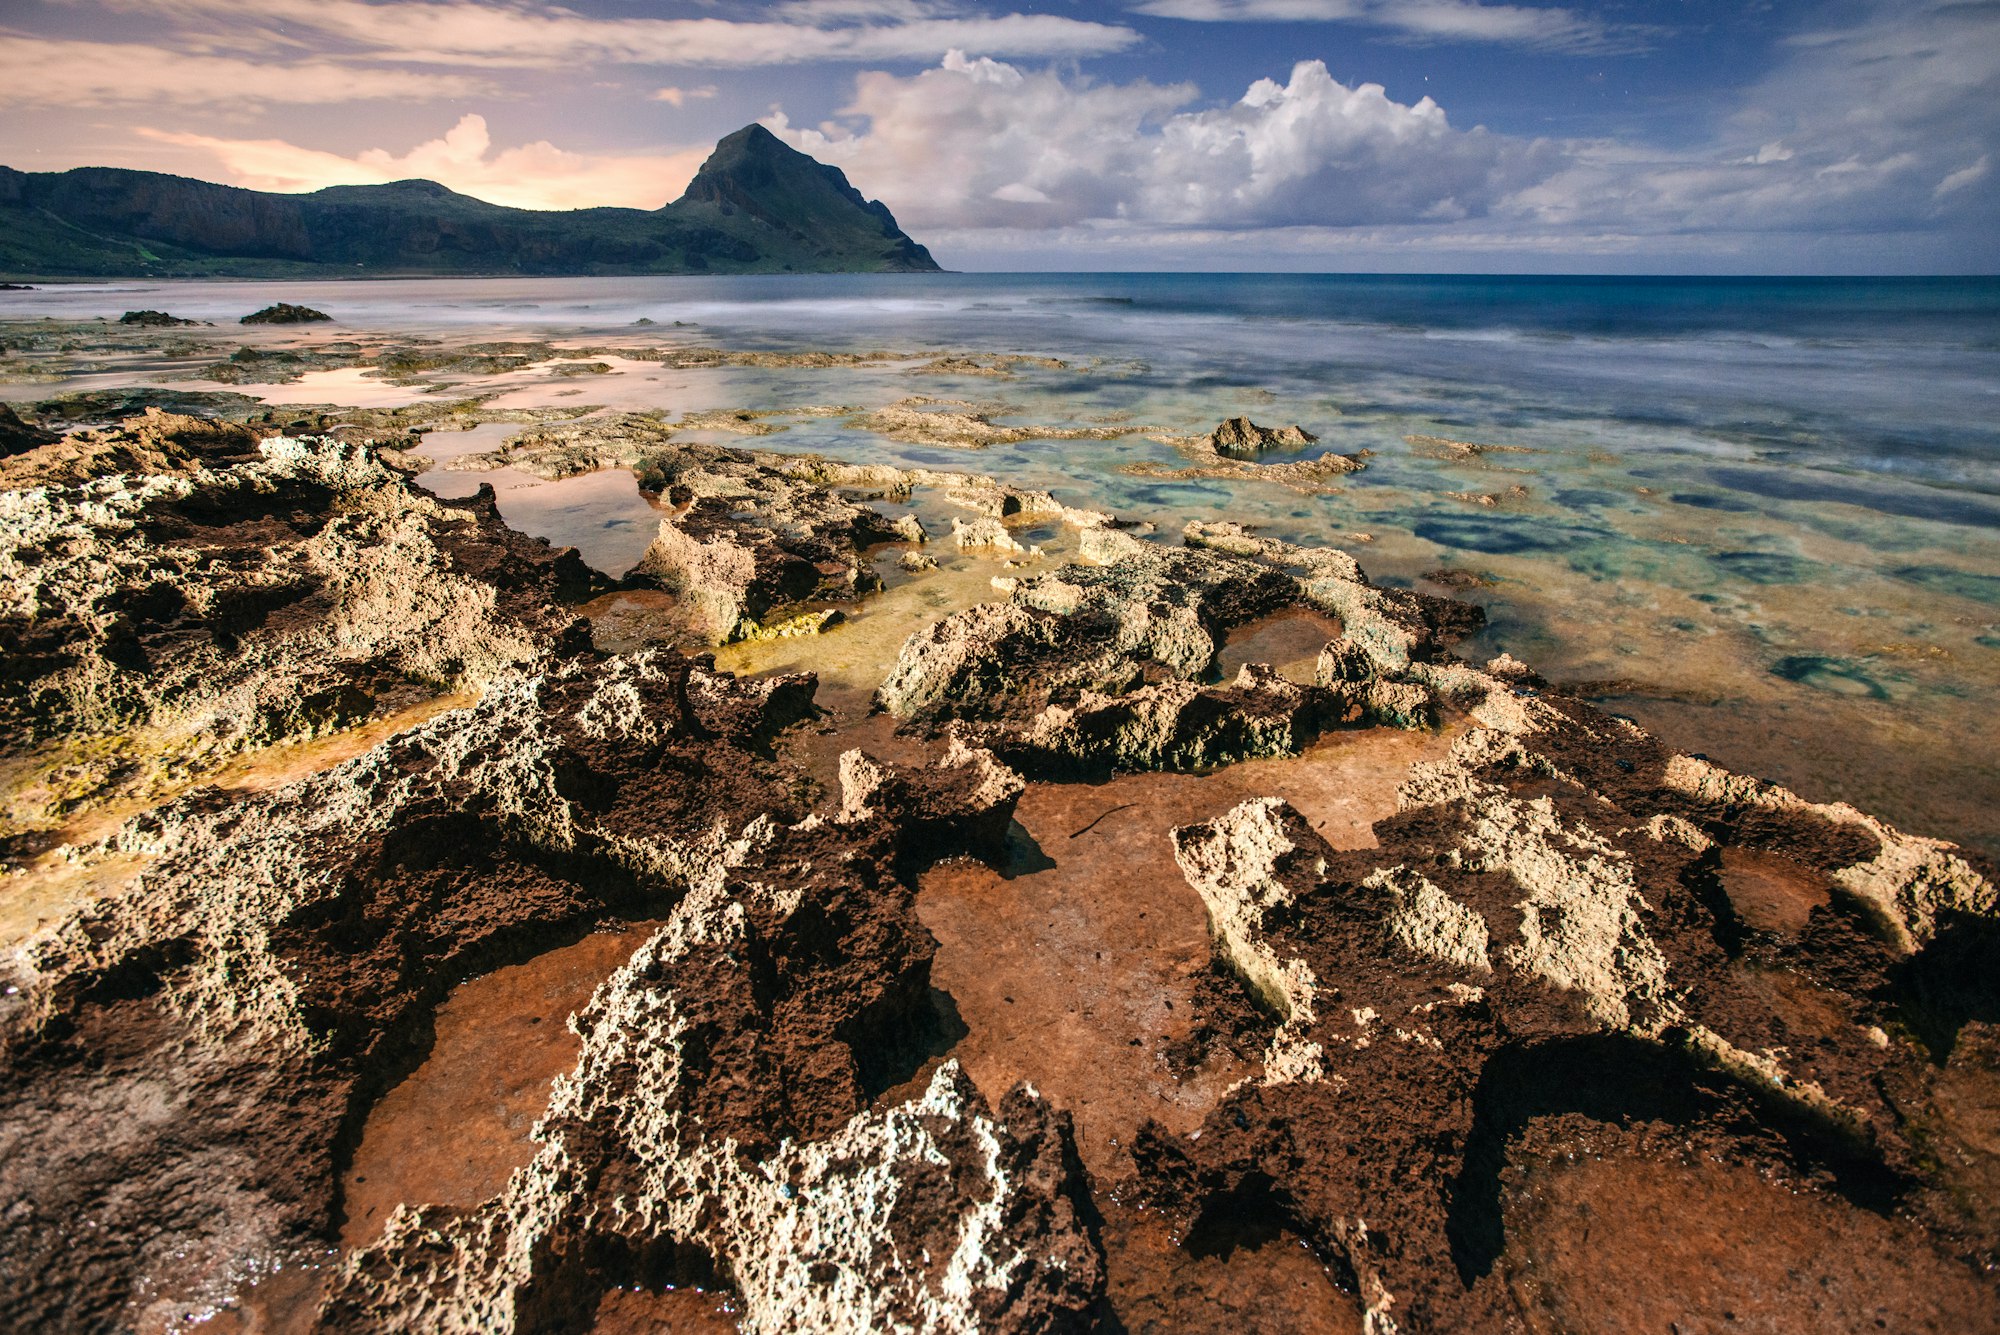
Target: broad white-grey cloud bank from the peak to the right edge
{"x": 1857, "y": 143}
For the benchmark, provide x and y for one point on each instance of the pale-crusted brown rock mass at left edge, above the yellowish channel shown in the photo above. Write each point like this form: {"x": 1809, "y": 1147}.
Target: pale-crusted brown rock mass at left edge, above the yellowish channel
{"x": 177, "y": 591}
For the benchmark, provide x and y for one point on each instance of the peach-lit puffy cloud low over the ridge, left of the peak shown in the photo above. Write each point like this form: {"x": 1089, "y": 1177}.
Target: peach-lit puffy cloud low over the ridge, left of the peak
{"x": 525, "y": 177}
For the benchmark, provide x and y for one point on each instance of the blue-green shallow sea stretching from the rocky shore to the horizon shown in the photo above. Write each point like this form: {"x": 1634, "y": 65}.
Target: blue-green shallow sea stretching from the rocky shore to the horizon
{"x": 1757, "y": 517}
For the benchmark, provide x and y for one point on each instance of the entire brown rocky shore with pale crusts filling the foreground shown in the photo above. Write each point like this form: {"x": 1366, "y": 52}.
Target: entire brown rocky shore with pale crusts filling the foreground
{"x": 1495, "y": 1058}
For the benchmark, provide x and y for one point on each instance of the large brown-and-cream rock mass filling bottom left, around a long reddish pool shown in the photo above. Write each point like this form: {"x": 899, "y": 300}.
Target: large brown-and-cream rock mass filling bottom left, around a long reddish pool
{"x": 277, "y": 960}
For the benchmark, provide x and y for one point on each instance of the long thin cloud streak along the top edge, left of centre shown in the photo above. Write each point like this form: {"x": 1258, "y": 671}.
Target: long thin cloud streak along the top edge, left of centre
{"x": 467, "y": 33}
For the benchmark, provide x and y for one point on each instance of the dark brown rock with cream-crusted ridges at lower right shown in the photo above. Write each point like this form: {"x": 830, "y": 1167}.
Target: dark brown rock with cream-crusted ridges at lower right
{"x": 1543, "y": 930}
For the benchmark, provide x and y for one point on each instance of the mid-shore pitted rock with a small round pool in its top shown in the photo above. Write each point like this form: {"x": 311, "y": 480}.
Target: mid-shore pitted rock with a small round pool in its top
{"x": 1101, "y": 665}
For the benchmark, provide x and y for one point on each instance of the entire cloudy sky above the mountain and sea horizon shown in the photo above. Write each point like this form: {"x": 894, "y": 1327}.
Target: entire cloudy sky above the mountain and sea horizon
{"x": 1749, "y": 137}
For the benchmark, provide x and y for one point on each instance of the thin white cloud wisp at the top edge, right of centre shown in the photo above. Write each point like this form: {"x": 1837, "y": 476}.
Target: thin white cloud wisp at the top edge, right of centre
{"x": 1423, "y": 21}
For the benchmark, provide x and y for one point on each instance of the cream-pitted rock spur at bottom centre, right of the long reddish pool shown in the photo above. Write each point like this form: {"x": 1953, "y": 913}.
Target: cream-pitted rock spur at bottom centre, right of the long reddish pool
{"x": 715, "y": 1110}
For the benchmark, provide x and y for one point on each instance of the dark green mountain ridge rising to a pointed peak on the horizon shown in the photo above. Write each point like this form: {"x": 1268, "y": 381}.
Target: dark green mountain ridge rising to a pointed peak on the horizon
{"x": 757, "y": 207}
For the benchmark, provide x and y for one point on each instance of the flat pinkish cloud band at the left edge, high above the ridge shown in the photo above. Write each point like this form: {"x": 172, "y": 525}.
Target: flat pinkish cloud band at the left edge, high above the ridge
{"x": 69, "y": 73}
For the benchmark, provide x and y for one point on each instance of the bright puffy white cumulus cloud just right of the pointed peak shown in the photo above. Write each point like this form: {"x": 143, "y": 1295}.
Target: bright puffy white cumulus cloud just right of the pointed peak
{"x": 981, "y": 143}
